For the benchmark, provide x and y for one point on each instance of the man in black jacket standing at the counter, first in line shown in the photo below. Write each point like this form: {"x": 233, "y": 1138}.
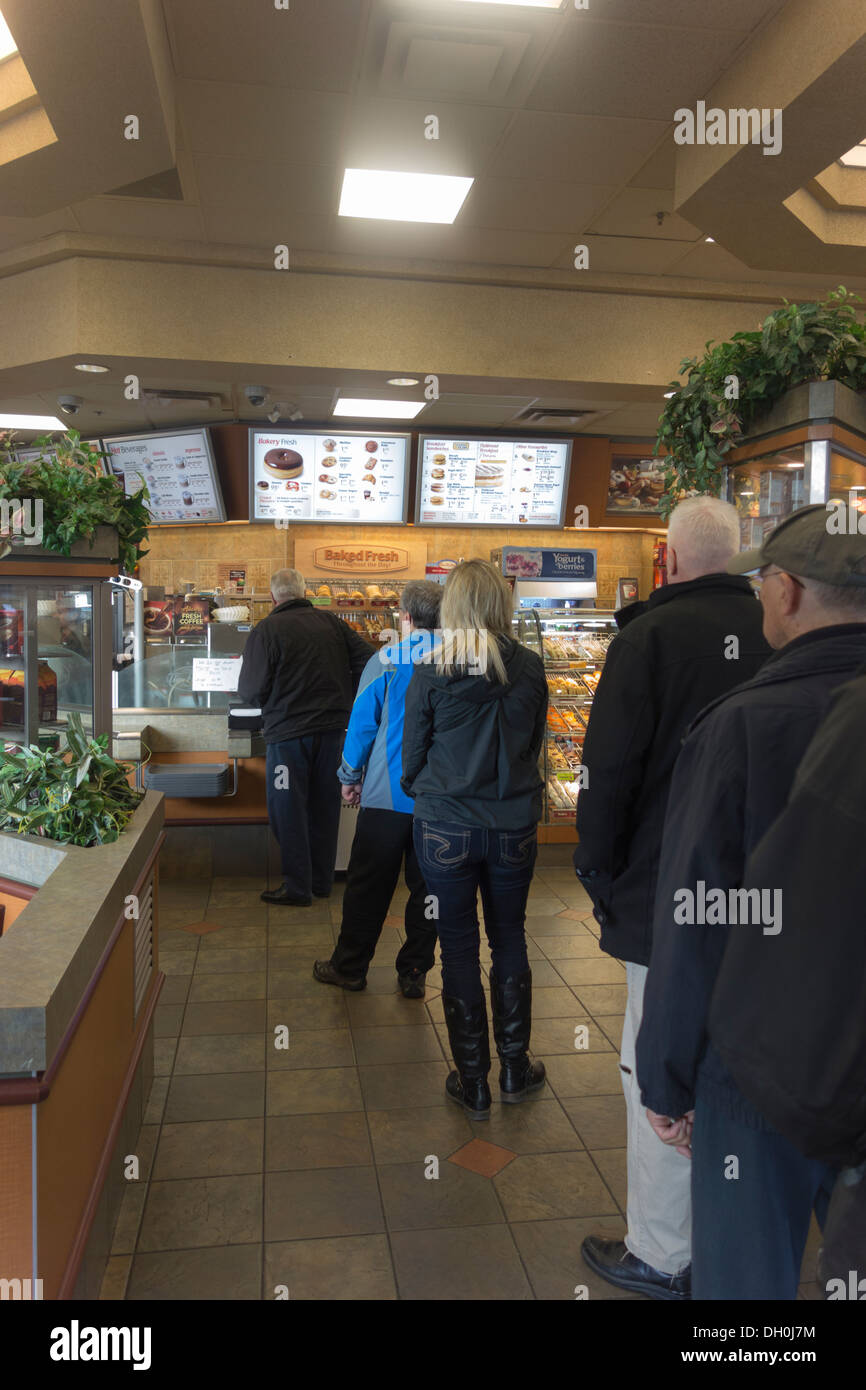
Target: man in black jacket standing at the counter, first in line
{"x": 302, "y": 668}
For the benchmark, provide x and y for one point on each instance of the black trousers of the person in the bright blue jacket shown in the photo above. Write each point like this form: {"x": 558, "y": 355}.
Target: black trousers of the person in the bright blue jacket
{"x": 383, "y": 844}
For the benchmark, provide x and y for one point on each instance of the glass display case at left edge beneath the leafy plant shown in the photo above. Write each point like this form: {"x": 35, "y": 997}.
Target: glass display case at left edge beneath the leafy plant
{"x": 55, "y": 658}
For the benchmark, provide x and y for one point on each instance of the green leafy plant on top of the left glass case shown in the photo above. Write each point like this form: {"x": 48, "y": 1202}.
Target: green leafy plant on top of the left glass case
{"x": 76, "y": 497}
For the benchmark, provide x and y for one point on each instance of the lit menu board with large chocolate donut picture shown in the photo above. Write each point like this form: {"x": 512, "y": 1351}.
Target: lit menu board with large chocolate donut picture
{"x": 336, "y": 476}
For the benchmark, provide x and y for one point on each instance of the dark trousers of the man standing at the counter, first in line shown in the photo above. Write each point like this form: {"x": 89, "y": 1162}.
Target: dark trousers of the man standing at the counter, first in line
{"x": 304, "y": 810}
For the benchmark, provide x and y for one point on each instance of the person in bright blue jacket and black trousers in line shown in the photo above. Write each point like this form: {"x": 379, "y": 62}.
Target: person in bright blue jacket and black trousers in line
{"x": 370, "y": 772}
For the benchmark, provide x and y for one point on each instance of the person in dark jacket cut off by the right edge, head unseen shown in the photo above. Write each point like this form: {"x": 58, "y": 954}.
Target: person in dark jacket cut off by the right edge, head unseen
{"x": 789, "y": 1013}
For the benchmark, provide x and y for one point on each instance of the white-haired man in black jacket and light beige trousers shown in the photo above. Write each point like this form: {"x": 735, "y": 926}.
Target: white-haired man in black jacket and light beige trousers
{"x": 697, "y": 637}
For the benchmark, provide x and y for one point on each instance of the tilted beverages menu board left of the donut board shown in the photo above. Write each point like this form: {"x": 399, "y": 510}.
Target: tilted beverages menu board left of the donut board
{"x": 179, "y": 471}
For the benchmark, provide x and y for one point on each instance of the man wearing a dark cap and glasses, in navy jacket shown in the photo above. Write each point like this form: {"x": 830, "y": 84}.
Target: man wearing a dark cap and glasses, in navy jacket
{"x": 753, "y": 1192}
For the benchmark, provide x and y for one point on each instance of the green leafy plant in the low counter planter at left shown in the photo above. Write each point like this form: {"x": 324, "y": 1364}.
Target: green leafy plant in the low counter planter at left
{"x": 76, "y": 794}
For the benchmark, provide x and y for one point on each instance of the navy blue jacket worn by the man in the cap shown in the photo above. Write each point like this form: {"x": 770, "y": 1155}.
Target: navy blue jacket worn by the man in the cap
{"x": 732, "y": 780}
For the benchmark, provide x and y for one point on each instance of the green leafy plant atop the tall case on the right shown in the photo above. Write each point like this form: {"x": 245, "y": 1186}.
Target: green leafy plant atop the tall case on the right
{"x": 737, "y": 382}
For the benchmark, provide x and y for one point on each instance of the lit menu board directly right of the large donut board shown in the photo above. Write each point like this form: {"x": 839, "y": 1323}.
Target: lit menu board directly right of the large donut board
{"x": 493, "y": 482}
